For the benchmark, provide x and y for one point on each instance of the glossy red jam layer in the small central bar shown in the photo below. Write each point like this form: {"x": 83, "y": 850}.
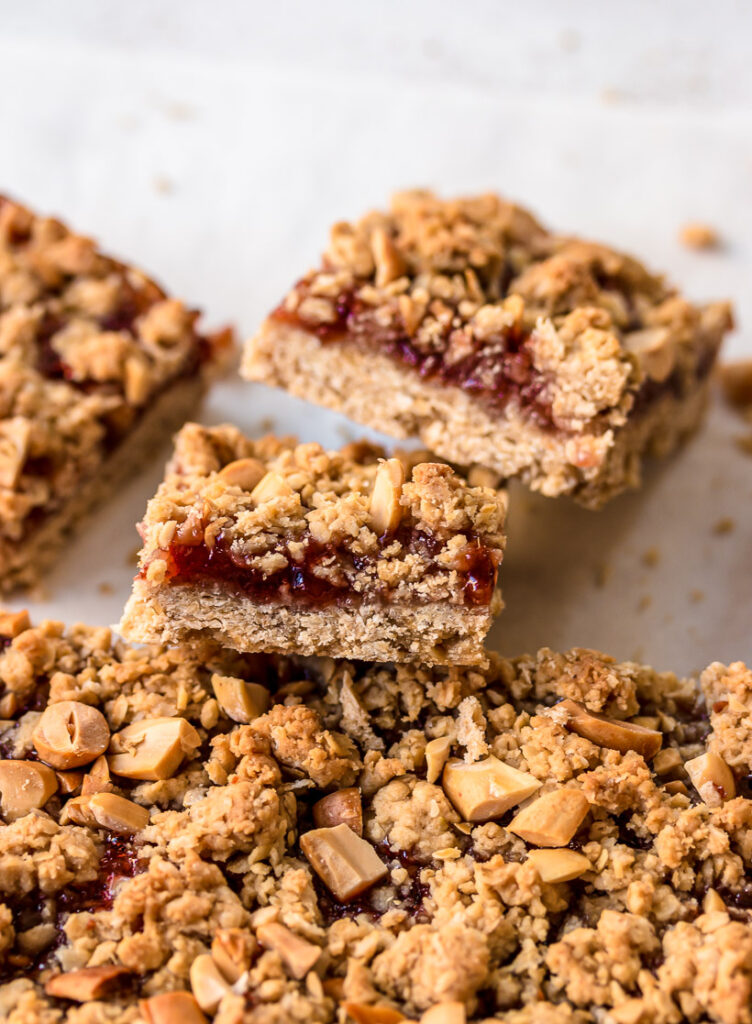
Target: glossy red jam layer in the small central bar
{"x": 302, "y": 582}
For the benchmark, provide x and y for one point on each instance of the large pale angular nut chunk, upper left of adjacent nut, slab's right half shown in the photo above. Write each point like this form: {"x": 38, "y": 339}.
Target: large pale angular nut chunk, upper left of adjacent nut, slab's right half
{"x": 487, "y": 789}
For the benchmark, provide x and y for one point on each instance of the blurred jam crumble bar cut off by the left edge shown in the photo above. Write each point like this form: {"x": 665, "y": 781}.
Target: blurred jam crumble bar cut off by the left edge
{"x": 98, "y": 366}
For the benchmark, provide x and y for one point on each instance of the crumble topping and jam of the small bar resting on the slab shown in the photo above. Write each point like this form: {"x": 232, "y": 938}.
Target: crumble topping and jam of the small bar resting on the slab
{"x": 287, "y": 522}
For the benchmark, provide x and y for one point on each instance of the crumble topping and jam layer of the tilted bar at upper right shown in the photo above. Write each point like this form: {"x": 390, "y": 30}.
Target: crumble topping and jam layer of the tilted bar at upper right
{"x": 478, "y": 294}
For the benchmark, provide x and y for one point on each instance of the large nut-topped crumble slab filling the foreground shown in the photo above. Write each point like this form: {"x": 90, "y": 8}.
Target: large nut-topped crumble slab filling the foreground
{"x": 191, "y": 835}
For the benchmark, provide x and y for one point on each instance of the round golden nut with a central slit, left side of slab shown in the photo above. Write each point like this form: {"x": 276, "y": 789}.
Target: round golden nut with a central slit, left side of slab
{"x": 71, "y": 735}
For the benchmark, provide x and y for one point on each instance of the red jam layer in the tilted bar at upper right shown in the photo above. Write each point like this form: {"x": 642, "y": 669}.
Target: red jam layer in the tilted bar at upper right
{"x": 495, "y": 371}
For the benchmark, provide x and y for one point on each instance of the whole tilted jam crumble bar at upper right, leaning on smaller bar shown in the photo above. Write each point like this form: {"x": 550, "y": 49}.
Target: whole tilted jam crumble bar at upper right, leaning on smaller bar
{"x": 497, "y": 343}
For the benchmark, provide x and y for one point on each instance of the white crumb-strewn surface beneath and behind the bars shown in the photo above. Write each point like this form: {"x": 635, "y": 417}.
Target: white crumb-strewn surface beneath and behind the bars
{"x": 214, "y": 144}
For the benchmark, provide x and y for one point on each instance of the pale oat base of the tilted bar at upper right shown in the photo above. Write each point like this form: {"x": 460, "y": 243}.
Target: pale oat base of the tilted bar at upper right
{"x": 374, "y": 391}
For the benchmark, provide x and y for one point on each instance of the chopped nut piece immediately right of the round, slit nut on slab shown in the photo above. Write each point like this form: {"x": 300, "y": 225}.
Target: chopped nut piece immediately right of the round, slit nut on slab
{"x": 153, "y": 749}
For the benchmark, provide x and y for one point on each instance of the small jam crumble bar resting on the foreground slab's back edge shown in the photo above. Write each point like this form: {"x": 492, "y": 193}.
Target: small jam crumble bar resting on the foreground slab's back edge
{"x": 274, "y": 546}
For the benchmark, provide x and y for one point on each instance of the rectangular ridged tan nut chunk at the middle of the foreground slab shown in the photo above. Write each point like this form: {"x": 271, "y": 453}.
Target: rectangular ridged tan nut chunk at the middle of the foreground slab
{"x": 347, "y": 865}
